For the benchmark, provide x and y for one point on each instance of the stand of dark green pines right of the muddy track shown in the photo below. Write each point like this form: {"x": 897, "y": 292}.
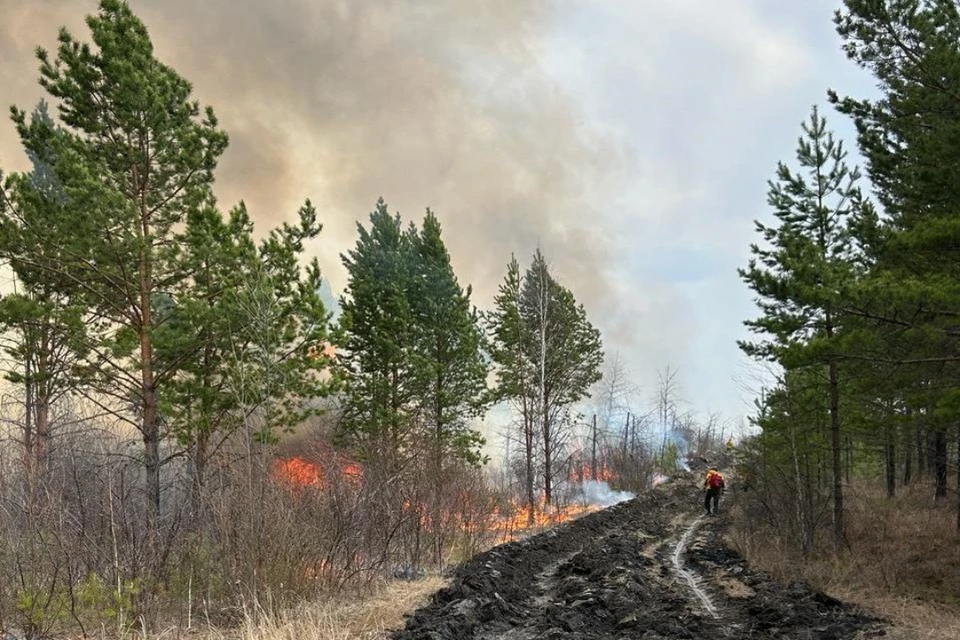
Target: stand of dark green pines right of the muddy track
{"x": 858, "y": 284}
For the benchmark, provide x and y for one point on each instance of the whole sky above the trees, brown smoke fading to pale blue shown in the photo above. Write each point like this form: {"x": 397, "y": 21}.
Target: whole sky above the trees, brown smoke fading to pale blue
{"x": 631, "y": 140}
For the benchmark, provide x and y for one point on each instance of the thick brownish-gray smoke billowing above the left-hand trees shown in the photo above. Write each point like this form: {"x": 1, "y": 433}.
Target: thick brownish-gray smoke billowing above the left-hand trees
{"x": 434, "y": 103}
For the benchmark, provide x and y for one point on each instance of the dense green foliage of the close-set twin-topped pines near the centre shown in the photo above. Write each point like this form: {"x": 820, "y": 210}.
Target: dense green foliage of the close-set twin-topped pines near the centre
{"x": 413, "y": 368}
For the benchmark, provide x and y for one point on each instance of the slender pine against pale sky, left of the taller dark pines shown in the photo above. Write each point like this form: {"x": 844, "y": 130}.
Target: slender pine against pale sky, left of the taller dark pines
{"x": 801, "y": 275}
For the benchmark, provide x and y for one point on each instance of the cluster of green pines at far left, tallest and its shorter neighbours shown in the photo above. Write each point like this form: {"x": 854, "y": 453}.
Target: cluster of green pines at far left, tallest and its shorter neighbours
{"x": 169, "y": 315}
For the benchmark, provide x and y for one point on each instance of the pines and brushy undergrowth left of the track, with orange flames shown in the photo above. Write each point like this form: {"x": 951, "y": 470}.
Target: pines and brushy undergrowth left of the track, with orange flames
{"x": 162, "y": 358}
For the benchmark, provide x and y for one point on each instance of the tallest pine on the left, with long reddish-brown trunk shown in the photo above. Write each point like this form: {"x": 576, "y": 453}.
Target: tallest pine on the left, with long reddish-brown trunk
{"x": 135, "y": 158}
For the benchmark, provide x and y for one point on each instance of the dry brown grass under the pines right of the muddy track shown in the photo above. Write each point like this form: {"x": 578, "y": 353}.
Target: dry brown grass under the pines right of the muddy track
{"x": 903, "y": 560}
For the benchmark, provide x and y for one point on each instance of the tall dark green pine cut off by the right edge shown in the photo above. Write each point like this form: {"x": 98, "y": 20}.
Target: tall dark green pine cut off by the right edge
{"x": 908, "y": 137}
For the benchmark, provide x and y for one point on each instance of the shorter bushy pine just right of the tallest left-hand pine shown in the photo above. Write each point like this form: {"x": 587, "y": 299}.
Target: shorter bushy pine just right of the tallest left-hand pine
{"x": 244, "y": 329}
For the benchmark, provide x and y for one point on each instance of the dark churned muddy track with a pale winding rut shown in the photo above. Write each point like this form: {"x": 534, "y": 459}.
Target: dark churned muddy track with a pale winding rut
{"x": 651, "y": 568}
